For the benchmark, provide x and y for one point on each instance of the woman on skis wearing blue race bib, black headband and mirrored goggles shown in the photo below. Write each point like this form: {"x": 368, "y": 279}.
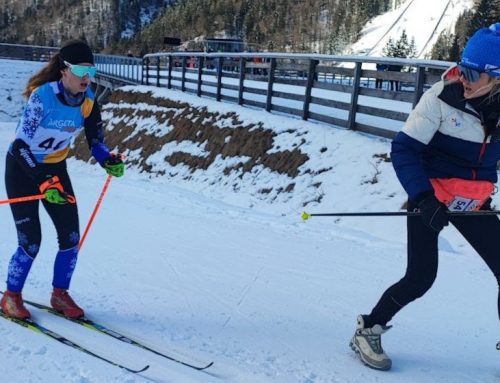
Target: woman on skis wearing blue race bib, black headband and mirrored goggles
{"x": 60, "y": 103}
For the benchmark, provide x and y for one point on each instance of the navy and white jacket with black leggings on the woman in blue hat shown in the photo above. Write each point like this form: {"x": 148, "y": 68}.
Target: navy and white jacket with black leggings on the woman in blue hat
{"x": 445, "y": 136}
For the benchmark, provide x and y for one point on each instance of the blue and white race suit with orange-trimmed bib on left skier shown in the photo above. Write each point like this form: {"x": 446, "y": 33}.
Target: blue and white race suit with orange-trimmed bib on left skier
{"x": 39, "y": 150}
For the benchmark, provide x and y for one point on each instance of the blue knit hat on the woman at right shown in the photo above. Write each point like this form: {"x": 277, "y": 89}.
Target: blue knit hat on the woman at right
{"x": 482, "y": 51}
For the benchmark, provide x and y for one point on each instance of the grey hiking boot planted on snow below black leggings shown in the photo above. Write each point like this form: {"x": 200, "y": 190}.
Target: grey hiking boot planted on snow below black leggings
{"x": 367, "y": 344}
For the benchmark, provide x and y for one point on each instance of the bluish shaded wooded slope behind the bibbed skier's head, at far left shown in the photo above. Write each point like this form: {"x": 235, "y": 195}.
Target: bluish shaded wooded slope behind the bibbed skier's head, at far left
{"x": 49, "y": 22}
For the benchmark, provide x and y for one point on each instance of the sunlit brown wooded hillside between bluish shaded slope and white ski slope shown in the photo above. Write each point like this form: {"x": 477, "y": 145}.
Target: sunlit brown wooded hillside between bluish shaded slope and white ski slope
{"x": 322, "y": 26}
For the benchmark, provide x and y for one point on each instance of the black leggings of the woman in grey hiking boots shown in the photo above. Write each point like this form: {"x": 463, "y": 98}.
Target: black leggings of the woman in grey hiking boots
{"x": 482, "y": 232}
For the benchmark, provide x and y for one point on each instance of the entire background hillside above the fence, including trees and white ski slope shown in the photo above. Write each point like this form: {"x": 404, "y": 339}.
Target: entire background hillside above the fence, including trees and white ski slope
{"x": 321, "y": 26}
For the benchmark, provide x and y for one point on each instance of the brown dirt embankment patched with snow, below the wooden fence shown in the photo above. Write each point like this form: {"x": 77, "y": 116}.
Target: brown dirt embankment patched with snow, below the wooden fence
{"x": 222, "y": 134}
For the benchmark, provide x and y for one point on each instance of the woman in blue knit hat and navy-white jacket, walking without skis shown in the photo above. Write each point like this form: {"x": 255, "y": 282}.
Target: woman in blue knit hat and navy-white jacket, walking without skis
{"x": 446, "y": 160}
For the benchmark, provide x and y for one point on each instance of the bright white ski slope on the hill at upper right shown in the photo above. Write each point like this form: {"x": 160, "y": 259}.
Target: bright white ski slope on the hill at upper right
{"x": 423, "y": 20}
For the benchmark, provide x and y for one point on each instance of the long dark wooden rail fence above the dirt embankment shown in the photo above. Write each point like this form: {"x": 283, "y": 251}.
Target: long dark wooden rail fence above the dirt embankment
{"x": 337, "y": 90}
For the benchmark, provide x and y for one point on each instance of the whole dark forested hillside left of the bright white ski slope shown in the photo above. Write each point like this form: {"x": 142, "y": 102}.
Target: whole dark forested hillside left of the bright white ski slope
{"x": 311, "y": 25}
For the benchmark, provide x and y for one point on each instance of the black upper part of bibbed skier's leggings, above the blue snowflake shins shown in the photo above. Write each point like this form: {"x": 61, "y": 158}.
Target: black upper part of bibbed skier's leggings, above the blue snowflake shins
{"x": 26, "y": 215}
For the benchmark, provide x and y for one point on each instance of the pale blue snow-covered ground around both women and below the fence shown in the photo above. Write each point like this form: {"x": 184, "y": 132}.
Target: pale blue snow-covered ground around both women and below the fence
{"x": 267, "y": 297}
